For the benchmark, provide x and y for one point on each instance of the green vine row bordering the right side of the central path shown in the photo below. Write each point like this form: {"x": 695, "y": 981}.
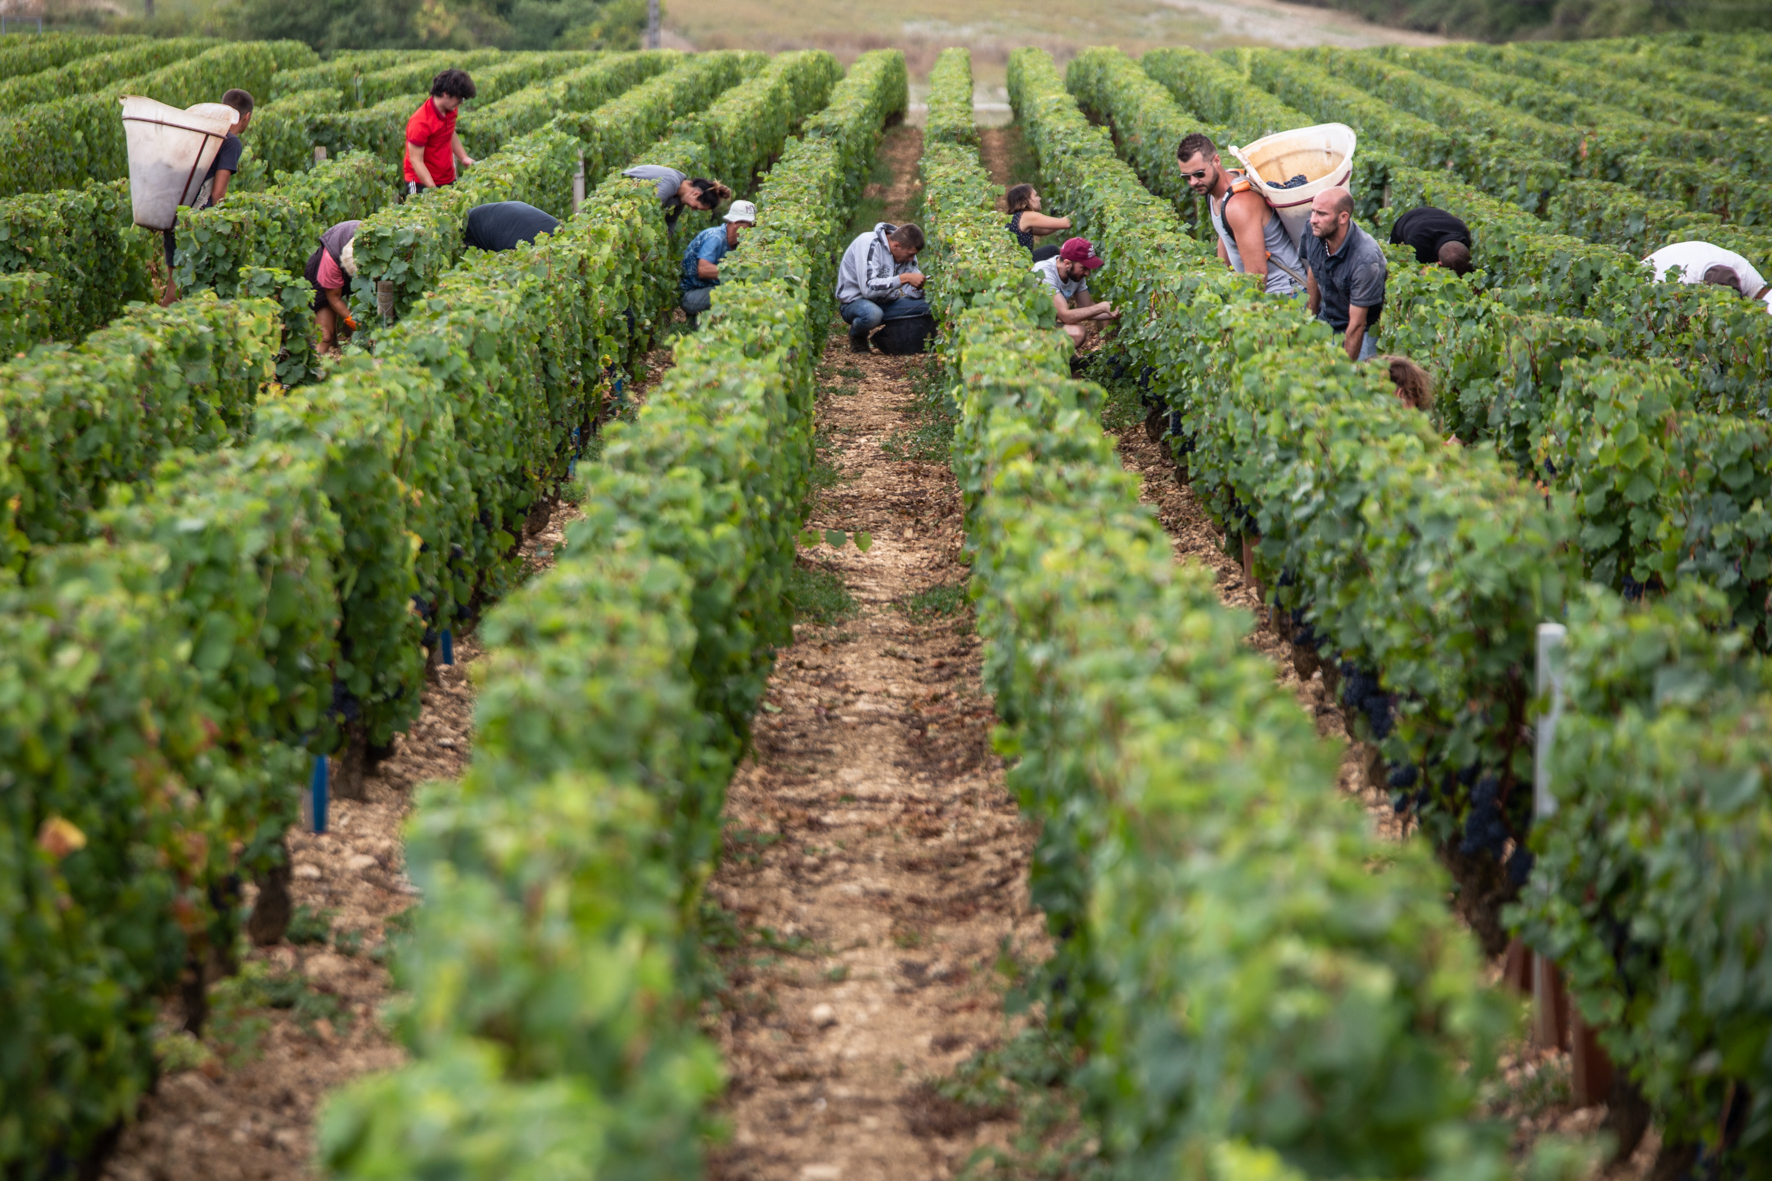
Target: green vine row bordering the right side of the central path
{"x": 1211, "y": 891}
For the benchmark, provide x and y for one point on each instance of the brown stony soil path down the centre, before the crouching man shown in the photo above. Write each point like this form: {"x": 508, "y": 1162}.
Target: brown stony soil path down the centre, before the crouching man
{"x": 874, "y": 861}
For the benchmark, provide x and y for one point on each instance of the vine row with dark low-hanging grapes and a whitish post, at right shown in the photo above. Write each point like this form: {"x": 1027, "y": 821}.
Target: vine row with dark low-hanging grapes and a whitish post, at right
{"x": 1424, "y": 570}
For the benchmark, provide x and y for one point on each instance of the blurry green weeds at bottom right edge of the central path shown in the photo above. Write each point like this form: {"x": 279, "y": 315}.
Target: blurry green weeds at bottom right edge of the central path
{"x": 1029, "y": 1079}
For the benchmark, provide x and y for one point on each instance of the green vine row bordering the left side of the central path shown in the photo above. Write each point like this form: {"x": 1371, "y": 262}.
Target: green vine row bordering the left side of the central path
{"x": 618, "y": 698}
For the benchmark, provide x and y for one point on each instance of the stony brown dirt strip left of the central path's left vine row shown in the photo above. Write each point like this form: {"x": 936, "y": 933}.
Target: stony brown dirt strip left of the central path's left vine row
{"x": 304, "y": 1017}
